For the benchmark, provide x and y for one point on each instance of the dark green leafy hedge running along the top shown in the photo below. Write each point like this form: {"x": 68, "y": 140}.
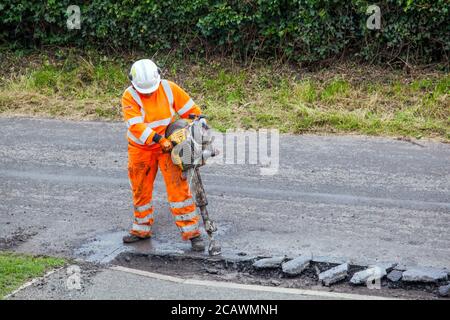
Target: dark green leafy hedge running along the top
{"x": 298, "y": 30}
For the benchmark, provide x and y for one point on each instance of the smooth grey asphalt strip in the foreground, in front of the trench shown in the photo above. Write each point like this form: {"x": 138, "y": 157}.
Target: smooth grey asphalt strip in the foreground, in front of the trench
{"x": 107, "y": 284}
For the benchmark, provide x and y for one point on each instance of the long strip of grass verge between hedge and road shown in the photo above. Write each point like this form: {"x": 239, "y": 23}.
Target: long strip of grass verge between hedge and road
{"x": 344, "y": 98}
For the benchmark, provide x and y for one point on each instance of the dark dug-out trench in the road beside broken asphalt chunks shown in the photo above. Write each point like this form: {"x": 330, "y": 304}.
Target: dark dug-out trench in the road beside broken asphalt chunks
{"x": 240, "y": 270}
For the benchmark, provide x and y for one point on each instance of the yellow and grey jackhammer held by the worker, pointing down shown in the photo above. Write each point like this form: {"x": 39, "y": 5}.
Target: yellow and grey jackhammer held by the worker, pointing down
{"x": 192, "y": 141}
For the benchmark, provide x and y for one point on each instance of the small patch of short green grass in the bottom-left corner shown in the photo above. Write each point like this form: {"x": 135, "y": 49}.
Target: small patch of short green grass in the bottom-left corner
{"x": 16, "y": 269}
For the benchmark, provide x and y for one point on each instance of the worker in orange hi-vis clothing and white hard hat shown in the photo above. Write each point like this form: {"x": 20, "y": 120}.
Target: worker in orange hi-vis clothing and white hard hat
{"x": 149, "y": 105}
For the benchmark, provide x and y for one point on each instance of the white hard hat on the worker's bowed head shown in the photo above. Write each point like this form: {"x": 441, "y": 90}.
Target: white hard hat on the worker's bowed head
{"x": 144, "y": 76}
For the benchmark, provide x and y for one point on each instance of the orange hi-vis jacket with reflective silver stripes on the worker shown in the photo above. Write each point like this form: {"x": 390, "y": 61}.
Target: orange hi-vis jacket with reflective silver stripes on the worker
{"x": 146, "y": 115}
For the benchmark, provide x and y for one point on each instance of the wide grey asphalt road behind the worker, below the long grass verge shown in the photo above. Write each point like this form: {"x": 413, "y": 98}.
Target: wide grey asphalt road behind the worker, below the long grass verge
{"x": 64, "y": 184}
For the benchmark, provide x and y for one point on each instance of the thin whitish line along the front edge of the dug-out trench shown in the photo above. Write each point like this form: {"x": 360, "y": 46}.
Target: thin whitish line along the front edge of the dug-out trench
{"x": 231, "y": 285}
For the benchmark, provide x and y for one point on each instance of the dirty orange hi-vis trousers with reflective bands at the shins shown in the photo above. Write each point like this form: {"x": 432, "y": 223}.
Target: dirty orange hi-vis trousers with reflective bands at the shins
{"x": 142, "y": 169}
